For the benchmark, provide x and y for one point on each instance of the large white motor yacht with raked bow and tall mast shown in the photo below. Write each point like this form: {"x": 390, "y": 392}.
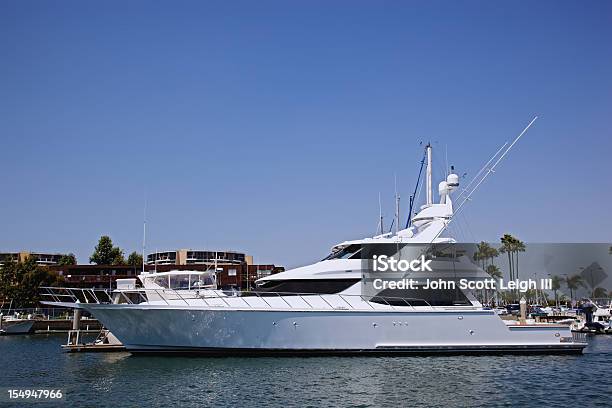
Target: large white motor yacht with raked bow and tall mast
{"x": 320, "y": 308}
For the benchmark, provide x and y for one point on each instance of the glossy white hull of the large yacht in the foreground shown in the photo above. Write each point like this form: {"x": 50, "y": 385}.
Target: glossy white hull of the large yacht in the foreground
{"x": 216, "y": 331}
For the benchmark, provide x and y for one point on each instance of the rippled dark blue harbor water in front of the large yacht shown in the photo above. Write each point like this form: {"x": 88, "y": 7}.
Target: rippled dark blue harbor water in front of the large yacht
{"x": 118, "y": 379}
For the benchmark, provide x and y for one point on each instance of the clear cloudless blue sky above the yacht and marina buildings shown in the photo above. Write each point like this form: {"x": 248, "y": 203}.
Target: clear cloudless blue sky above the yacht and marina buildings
{"x": 271, "y": 127}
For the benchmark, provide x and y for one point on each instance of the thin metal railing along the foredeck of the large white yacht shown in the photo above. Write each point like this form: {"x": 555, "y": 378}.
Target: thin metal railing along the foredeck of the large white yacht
{"x": 214, "y": 299}
